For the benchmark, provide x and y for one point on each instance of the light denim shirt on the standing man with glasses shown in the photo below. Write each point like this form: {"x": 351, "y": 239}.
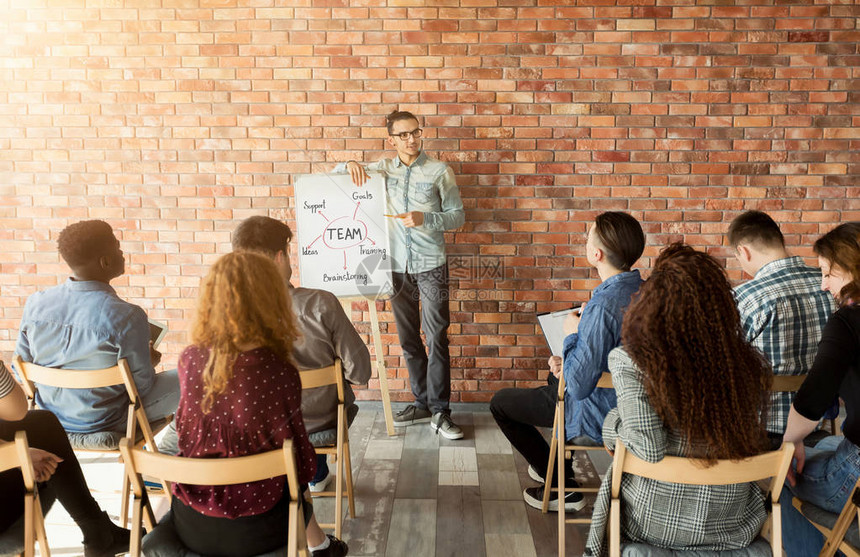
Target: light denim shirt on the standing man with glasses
{"x": 427, "y": 185}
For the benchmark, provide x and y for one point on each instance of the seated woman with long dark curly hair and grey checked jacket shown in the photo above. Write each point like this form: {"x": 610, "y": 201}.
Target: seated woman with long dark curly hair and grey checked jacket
{"x": 689, "y": 385}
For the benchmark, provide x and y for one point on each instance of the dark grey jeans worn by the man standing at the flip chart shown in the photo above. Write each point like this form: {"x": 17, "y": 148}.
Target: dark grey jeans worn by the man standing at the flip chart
{"x": 429, "y": 372}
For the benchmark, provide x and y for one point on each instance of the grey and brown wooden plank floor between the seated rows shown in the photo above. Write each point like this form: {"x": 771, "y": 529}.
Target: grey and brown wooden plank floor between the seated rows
{"x": 417, "y": 494}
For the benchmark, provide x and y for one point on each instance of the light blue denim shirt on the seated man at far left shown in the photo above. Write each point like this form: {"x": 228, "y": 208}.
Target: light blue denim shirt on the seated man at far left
{"x": 82, "y": 325}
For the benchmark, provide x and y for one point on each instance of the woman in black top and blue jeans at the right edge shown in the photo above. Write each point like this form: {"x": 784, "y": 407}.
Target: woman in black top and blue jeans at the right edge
{"x": 826, "y": 474}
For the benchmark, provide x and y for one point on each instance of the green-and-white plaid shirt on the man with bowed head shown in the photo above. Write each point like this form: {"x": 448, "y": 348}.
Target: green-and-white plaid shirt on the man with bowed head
{"x": 783, "y": 312}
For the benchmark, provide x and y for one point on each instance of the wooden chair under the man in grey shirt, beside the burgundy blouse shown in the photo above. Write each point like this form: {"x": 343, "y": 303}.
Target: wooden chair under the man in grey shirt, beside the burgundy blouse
{"x": 333, "y": 375}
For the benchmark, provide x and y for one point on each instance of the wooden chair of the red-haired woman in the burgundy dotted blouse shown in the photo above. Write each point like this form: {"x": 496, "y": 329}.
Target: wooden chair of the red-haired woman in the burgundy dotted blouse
{"x": 212, "y": 471}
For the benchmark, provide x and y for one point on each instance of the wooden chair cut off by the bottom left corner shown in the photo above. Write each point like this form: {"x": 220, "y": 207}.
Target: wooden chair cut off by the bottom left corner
{"x": 17, "y": 455}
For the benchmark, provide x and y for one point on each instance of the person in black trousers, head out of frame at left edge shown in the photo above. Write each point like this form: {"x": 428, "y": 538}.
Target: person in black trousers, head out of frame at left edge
{"x": 53, "y": 463}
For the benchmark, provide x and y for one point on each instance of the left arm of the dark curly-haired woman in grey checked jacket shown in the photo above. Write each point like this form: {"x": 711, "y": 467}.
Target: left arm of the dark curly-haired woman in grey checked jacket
{"x": 634, "y": 421}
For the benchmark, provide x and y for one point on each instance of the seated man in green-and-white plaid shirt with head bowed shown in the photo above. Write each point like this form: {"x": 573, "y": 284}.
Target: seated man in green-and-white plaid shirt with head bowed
{"x": 783, "y": 309}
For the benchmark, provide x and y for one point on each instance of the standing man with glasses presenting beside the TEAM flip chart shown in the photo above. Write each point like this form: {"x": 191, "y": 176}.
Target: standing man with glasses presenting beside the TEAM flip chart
{"x": 423, "y": 196}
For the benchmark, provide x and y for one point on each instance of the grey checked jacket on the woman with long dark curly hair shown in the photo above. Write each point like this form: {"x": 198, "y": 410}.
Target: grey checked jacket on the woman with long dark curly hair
{"x": 663, "y": 514}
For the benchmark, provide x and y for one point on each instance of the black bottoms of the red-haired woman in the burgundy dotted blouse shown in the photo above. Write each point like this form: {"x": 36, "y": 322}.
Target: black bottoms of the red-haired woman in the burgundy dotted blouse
{"x": 236, "y": 537}
